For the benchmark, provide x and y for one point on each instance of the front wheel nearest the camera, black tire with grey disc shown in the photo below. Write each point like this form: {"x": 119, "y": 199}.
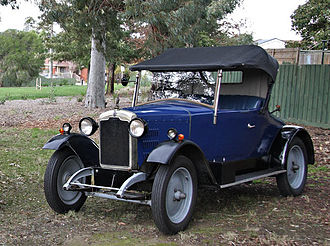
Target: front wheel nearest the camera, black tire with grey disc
{"x": 174, "y": 193}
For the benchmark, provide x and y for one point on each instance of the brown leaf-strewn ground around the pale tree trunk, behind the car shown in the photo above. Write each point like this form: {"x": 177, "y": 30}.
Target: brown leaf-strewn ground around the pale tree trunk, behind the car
{"x": 43, "y": 113}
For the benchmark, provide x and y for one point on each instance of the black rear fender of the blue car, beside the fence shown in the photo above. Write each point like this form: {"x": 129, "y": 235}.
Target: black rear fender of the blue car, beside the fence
{"x": 285, "y": 137}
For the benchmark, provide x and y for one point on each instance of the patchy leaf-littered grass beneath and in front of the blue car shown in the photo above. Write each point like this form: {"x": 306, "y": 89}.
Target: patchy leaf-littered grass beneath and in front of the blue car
{"x": 243, "y": 215}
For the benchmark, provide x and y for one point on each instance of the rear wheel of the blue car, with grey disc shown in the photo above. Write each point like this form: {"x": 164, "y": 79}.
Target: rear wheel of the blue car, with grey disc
{"x": 293, "y": 181}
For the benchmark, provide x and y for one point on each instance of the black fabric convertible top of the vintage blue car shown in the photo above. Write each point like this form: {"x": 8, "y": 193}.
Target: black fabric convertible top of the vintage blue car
{"x": 212, "y": 58}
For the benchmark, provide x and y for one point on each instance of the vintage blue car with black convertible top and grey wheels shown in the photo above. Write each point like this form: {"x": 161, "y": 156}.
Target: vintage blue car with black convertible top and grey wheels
{"x": 204, "y": 122}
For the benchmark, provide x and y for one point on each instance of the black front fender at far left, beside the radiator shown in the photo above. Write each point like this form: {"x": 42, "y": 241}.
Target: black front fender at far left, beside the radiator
{"x": 84, "y": 147}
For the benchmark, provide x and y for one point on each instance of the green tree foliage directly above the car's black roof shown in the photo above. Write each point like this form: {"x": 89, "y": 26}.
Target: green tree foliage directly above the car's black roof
{"x": 168, "y": 23}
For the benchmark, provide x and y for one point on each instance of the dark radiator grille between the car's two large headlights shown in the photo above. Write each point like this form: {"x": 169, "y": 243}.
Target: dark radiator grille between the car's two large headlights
{"x": 114, "y": 142}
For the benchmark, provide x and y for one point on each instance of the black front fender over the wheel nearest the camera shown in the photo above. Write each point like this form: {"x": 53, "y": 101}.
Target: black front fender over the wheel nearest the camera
{"x": 165, "y": 152}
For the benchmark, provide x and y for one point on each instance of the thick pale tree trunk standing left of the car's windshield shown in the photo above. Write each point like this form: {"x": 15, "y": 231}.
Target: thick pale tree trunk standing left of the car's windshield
{"x": 96, "y": 81}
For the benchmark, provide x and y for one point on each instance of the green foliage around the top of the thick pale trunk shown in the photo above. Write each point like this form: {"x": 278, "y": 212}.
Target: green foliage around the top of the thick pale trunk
{"x": 79, "y": 20}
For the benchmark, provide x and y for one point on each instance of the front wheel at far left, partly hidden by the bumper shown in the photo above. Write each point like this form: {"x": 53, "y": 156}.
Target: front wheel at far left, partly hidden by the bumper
{"x": 62, "y": 164}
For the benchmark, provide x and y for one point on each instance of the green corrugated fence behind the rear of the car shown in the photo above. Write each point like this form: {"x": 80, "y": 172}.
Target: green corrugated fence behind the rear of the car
{"x": 303, "y": 93}
